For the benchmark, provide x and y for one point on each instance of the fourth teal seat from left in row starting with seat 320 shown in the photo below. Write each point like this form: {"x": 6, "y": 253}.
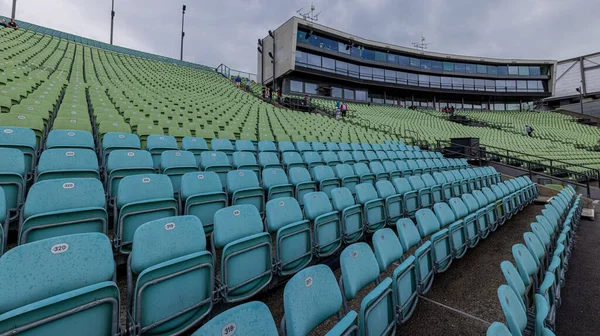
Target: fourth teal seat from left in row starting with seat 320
{"x": 293, "y": 241}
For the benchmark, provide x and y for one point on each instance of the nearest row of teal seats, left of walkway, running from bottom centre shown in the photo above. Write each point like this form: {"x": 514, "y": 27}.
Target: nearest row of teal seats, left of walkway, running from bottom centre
{"x": 313, "y": 296}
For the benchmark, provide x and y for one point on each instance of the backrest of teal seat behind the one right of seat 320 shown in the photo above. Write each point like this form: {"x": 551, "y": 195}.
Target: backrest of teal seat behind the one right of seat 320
{"x": 143, "y": 187}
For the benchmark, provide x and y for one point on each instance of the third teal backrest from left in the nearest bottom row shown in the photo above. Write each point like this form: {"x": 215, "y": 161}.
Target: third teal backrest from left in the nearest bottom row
{"x": 359, "y": 268}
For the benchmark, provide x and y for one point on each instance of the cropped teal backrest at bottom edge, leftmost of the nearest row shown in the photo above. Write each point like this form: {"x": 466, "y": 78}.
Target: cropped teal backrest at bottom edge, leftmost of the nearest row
{"x": 252, "y": 318}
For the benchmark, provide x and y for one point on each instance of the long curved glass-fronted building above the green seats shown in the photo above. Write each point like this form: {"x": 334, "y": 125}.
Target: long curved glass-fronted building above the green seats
{"x": 320, "y": 61}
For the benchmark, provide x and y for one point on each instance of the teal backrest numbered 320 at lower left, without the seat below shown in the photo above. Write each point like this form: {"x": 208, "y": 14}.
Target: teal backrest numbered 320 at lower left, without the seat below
{"x": 82, "y": 260}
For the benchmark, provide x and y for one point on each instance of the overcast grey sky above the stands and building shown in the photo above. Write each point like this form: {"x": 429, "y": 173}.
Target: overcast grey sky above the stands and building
{"x": 226, "y": 31}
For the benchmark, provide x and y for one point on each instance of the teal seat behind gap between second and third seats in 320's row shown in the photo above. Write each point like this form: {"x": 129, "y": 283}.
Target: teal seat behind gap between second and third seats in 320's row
{"x": 202, "y": 196}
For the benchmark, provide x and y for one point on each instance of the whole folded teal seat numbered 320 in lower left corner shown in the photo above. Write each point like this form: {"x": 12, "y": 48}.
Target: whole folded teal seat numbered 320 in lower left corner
{"x": 84, "y": 299}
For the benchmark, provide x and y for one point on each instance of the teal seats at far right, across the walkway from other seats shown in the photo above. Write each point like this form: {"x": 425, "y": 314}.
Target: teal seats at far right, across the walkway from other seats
{"x": 532, "y": 295}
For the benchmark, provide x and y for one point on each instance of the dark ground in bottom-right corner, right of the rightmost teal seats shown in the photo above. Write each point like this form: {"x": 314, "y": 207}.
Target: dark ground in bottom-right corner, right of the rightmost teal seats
{"x": 579, "y": 313}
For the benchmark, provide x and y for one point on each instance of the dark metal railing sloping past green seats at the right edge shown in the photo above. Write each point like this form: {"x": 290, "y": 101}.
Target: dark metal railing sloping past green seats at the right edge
{"x": 530, "y": 167}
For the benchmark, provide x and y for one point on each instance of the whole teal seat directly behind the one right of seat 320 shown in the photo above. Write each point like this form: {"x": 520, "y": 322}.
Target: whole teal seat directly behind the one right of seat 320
{"x": 142, "y": 198}
